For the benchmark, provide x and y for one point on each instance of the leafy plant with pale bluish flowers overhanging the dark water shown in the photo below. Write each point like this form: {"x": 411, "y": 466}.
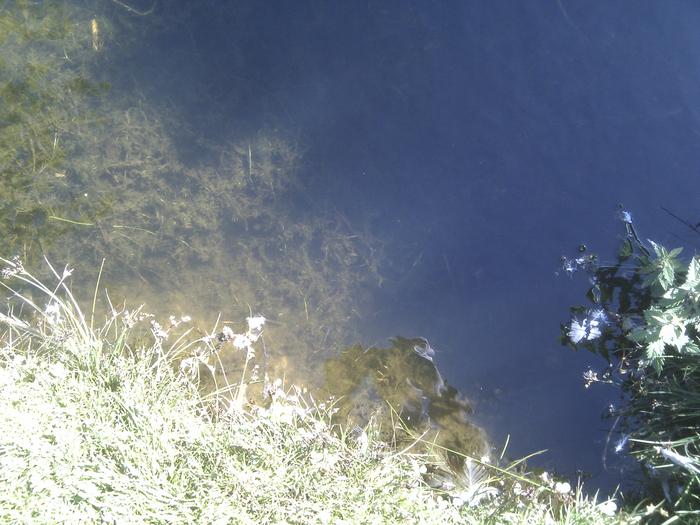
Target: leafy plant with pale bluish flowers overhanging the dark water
{"x": 646, "y": 323}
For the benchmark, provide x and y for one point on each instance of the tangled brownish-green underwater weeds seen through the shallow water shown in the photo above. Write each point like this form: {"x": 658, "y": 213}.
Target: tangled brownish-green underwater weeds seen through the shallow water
{"x": 94, "y": 170}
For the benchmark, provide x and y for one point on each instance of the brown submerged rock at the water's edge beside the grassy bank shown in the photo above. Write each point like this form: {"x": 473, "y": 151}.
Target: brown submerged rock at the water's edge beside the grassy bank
{"x": 401, "y": 388}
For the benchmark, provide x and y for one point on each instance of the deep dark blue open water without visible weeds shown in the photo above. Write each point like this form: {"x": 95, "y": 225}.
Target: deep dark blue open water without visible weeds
{"x": 479, "y": 141}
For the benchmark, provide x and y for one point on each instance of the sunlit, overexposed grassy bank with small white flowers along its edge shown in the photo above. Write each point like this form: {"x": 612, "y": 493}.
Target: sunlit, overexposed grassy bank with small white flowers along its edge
{"x": 104, "y": 425}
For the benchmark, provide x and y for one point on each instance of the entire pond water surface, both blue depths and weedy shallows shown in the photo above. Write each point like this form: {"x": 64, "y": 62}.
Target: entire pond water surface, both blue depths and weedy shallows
{"x": 357, "y": 171}
